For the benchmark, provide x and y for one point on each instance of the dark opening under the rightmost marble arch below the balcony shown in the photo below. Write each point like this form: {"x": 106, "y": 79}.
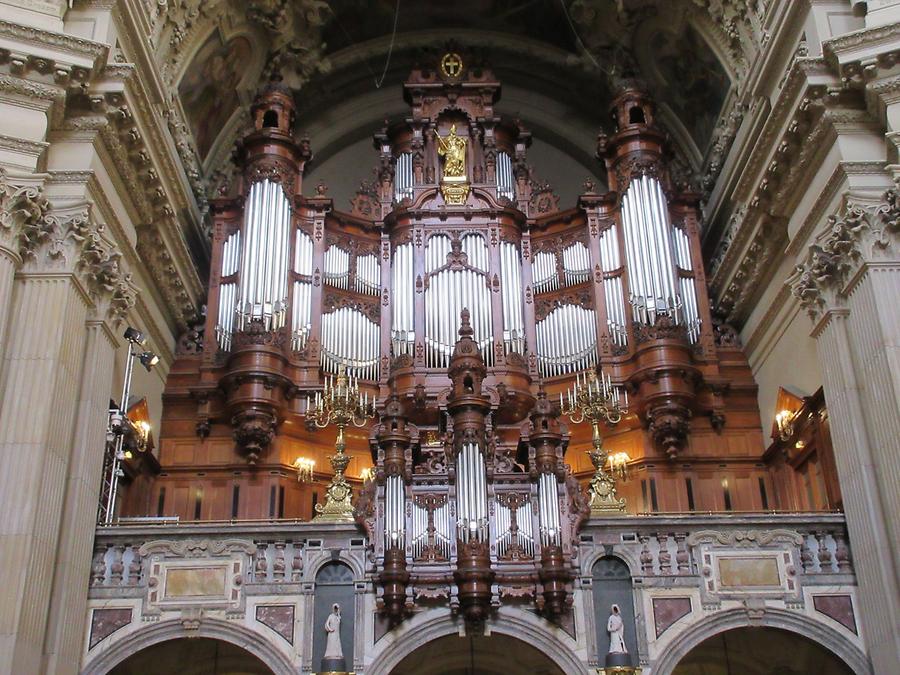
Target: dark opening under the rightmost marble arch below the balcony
{"x": 760, "y": 651}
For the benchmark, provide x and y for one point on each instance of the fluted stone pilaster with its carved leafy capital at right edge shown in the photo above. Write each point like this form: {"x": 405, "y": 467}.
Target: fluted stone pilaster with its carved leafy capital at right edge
{"x": 848, "y": 283}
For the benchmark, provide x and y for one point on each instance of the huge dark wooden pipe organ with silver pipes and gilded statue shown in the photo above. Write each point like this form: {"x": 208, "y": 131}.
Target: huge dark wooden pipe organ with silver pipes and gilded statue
{"x": 456, "y": 222}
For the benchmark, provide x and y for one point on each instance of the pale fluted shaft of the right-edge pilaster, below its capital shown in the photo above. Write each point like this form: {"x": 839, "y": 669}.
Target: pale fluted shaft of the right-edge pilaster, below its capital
{"x": 859, "y": 352}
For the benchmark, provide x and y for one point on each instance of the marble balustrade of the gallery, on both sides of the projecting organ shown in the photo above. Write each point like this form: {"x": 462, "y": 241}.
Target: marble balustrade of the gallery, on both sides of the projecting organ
{"x": 658, "y": 545}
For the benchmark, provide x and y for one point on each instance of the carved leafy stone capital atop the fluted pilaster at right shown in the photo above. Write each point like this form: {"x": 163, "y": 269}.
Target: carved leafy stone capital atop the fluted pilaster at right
{"x": 861, "y": 234}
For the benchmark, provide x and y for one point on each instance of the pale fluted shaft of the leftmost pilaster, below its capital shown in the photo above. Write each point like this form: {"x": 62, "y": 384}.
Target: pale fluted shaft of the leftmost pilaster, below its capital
{"x": 43, "y": 366}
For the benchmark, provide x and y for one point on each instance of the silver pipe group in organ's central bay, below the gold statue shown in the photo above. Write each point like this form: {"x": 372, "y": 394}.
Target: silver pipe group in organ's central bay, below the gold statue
{"x": 452, "y": 290}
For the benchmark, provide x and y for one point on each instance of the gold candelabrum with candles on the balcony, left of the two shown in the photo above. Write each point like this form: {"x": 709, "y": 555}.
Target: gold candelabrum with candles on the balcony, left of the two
{"x": 339, "y": 404}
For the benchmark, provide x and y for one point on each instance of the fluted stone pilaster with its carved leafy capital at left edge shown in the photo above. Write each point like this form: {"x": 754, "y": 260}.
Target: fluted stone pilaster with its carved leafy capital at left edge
{"x": 43, "y": 369}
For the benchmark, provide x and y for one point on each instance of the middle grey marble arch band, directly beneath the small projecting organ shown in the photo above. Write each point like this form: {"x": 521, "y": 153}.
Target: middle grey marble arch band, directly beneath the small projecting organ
{"x": 437, "y": 623}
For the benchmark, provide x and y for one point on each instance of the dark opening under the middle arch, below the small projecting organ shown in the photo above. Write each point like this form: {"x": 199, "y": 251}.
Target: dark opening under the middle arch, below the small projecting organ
{"x": 494, "y": 655}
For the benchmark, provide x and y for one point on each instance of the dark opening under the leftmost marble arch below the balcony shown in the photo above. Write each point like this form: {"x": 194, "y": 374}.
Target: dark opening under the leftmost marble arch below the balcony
{"x": 192, "y": 656}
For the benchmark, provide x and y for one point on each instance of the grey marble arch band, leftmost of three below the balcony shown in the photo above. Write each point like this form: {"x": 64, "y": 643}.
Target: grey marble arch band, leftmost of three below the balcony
{"x": 236, "y": 634}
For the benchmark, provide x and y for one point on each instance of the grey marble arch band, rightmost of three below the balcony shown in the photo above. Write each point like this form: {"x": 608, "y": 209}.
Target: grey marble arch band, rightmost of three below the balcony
{"x": 792, "y": 622}
